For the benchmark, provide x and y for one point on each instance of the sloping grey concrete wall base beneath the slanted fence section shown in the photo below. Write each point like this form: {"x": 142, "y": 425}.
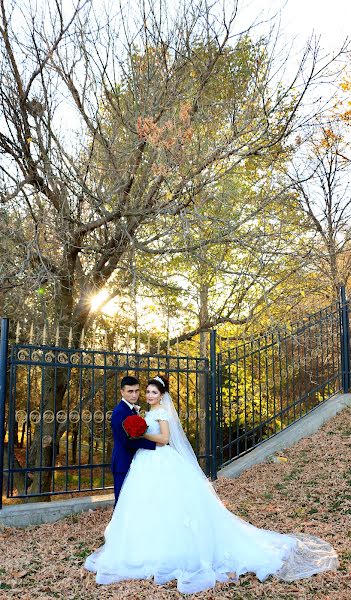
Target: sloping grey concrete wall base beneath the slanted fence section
{"x": 309, "y": 424}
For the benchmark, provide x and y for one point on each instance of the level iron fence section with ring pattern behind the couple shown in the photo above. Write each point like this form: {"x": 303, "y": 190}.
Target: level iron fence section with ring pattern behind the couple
{"x": 57, "y": 436}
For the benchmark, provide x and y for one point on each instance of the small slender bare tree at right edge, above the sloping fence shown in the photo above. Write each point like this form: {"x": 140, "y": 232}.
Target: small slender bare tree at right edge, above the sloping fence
{"x": 322, "y": 181}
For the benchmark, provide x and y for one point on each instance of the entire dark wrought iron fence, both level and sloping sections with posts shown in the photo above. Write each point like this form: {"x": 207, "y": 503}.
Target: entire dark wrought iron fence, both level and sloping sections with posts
{"x": 56, "y": 403}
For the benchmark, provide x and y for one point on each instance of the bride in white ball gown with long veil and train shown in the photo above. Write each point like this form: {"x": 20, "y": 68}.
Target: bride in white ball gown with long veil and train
{"x": 170, "y": 524}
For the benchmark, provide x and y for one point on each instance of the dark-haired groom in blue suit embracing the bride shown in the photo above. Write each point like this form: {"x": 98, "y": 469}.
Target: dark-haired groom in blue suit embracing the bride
{"x": 124, "y": 448}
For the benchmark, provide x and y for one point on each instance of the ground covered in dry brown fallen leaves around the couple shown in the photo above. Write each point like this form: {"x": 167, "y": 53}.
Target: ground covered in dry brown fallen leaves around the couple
{"x": 307, "y": 490}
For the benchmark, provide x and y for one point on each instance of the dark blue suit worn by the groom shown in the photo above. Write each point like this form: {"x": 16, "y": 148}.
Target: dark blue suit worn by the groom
{"x": 124, "y": 448}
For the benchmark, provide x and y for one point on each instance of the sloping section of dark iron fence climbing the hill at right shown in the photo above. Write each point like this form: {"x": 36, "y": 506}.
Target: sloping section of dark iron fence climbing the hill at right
{"x": 268, "y": 383}
